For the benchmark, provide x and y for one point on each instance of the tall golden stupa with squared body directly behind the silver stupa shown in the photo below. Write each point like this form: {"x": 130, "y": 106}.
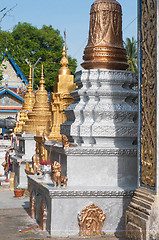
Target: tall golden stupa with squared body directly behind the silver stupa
{"x": 61, "y": 98}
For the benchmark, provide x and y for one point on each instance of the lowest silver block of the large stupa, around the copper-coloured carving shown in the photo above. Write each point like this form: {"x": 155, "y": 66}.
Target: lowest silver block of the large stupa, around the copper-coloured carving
{"x": 57, "y": 209}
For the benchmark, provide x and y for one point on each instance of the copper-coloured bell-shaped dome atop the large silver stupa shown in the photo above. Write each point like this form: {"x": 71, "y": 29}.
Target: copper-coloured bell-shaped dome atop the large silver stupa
{"x": 105, "y": 44}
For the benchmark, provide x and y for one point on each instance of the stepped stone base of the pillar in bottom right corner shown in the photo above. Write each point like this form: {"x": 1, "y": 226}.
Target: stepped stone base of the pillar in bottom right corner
{"x": 142, "y": 216}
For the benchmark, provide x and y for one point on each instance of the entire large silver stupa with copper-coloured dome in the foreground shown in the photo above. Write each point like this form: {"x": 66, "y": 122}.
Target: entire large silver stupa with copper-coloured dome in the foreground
{"x": 101, "y": 161}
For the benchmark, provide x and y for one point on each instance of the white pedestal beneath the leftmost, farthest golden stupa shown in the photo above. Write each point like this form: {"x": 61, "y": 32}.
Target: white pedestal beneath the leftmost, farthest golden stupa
{"x": 24, "y": 153}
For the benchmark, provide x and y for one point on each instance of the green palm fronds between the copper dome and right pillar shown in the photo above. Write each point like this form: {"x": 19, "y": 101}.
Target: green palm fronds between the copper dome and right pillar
{"x": 131, "y": 49}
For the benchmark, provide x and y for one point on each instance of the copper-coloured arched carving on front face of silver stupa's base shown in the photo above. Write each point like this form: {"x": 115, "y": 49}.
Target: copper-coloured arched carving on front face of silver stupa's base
{"x": 91, "y": 220}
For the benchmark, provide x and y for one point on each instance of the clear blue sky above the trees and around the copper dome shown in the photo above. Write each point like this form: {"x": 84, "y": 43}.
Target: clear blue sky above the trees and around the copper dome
{"x": 72, "y": 15}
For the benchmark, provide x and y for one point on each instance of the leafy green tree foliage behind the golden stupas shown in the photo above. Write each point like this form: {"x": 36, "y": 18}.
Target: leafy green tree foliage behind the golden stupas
{"x": 29, "y": 42}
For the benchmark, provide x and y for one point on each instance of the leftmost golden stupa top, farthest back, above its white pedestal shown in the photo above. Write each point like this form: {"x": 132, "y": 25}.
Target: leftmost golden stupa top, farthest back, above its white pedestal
{"x": 29, "y": 100}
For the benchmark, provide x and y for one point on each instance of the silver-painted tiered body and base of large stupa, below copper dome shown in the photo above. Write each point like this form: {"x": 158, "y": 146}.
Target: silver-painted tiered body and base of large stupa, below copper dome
{"x": 101, "y": 166}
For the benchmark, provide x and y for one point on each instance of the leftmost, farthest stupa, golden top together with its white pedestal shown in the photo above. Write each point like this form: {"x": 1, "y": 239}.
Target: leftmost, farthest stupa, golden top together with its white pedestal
{"x": 23, "y": 143}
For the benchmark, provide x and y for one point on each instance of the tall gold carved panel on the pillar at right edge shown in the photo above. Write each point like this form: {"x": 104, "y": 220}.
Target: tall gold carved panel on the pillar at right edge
{"x": 148, "y": 88}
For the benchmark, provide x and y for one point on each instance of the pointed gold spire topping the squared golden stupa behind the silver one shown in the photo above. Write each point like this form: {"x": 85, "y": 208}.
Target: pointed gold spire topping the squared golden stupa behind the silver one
{"x": 64, "y": 70}
